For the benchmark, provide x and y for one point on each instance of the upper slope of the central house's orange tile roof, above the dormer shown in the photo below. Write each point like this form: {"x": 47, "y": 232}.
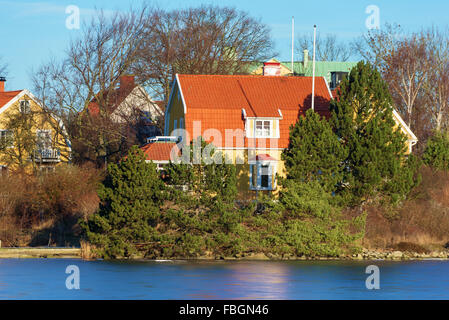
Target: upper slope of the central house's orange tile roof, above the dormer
{"x": 260, "y": 96}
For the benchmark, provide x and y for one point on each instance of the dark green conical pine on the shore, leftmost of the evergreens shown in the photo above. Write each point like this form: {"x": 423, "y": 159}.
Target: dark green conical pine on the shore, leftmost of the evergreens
{"x": 130, "y": 198}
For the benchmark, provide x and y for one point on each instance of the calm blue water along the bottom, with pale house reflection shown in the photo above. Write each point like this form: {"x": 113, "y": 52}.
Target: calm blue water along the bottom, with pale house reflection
{"x": 46, "y": 279}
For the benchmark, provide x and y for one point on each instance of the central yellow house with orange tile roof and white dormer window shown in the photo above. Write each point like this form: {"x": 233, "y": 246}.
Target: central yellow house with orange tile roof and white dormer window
{"x": 247, "y": 118}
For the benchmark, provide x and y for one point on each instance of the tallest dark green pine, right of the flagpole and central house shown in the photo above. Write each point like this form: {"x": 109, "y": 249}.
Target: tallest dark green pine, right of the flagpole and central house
{"x": 362, "y": 118}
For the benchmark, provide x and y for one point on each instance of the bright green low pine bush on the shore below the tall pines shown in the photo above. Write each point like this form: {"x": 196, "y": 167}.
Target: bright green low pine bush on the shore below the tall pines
{"x": 313, "y": 225}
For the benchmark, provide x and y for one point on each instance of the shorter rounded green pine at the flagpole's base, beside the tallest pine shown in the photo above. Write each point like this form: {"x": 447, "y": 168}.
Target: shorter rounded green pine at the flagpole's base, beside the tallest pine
{"x": 314, "y": 152}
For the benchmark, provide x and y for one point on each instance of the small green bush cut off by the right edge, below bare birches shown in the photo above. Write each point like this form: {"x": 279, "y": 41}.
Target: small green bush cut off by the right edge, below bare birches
{"x": 436, "y": 154}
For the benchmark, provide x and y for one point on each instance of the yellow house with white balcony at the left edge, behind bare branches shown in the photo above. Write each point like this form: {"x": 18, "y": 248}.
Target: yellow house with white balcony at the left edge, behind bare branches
{"x": 30, "y": 138}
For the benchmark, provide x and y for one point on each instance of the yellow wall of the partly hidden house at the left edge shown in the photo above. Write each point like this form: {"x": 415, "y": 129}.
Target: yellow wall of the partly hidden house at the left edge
{"x": 42, "y": 122}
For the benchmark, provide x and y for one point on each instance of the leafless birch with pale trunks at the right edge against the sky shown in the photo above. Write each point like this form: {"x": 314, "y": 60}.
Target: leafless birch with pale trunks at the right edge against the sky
{"x": 414, "y": 64}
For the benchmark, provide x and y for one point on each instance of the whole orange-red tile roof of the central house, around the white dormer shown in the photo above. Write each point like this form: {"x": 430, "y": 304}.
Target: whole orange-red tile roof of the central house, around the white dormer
{"x": 217, "y": 102}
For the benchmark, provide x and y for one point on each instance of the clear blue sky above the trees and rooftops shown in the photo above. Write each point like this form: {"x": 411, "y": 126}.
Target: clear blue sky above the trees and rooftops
{"x": 32, "y": 31}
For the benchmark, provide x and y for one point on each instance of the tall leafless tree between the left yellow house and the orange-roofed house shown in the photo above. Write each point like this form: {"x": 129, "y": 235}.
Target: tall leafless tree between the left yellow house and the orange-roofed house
{"x": 94, "y": 62}
